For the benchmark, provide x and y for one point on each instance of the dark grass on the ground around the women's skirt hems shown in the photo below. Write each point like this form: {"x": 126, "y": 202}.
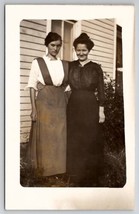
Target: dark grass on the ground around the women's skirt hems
{"x": 114, "y": 172}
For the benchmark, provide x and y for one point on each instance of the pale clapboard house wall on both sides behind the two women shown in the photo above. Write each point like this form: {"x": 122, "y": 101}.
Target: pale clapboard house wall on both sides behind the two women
{"x": 32, "y": 34}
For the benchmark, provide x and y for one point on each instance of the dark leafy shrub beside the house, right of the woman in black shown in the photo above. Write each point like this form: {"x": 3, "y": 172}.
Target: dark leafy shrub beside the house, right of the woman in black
{"x": 114, "y": 112}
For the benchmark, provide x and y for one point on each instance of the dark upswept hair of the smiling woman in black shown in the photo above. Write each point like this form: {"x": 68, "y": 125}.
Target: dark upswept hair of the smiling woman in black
{"x": 83, "y": 39}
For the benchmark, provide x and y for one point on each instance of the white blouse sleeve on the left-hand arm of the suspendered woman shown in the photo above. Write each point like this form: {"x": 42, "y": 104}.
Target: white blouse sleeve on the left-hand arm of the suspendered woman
{"x": 33, "y": 77}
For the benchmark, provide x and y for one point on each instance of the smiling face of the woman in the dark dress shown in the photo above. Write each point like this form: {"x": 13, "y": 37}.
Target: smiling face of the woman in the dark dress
{"x": 82, "y": 52}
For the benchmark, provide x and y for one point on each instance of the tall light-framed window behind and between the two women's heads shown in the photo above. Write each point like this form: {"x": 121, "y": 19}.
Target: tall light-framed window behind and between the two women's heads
{"x": 65, "y": 29}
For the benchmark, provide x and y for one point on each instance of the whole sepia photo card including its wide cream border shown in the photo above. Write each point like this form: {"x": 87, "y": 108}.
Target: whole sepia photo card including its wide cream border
{"x": 74, "y": 135}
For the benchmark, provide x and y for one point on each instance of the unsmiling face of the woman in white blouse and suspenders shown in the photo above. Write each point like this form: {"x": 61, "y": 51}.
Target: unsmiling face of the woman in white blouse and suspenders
{"x": 54, "y": 48}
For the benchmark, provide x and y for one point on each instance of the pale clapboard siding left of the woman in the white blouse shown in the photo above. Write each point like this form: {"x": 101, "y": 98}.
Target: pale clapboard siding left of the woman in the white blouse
{"x": 32, "y": 34}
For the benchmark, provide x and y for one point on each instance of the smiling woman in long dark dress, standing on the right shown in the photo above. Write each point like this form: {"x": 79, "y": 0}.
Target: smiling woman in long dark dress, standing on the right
{"x": 85, "y": 113}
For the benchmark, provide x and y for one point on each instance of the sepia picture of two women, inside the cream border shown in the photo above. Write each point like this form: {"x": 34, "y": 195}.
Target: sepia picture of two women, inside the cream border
{"x": 72, "y": 115}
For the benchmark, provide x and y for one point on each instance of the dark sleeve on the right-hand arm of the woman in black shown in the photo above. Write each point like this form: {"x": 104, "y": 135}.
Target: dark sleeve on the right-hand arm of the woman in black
{"x": 100, "y": 88}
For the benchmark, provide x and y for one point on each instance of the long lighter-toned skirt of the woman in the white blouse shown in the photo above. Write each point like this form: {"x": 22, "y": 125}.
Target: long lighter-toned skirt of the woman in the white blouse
{"x": 47, "y": 144}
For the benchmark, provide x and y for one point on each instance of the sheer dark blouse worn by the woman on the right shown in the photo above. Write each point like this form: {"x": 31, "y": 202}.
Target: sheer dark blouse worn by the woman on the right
{"x": 87, "y": 77}
